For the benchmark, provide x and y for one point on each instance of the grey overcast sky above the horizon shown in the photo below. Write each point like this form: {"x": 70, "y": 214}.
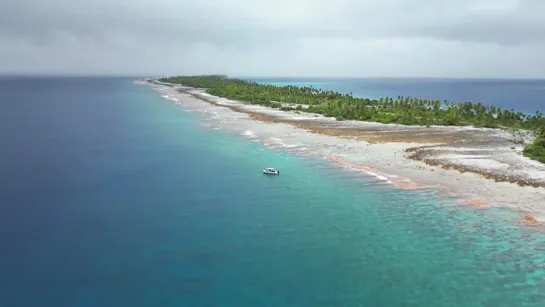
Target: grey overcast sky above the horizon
{"x": 391, "y": 38}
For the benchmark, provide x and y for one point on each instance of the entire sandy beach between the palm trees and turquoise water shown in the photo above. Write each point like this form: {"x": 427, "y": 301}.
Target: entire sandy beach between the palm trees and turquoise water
{"x": 481, "y": 167}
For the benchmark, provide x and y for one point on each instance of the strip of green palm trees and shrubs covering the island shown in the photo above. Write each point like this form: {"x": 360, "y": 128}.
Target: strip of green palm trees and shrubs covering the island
{"x": 400, "y": 110}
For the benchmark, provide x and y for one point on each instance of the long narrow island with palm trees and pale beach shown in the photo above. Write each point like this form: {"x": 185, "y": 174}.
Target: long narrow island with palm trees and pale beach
{"x": 483, "y": 155}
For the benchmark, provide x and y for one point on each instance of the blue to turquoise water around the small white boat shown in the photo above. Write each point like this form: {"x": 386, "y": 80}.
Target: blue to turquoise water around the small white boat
{"x": 114, "y": 196}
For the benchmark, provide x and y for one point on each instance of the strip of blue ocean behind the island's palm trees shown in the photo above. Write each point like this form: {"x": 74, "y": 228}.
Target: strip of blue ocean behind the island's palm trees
{"x": 526, "y": 96}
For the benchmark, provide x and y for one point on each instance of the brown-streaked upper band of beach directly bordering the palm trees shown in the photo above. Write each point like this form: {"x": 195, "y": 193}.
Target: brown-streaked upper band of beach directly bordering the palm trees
{"x": 490, "y": 153}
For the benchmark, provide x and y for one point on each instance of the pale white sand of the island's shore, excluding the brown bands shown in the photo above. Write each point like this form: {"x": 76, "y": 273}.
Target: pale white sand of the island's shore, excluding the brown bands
{"x": 387, "y": 160}
